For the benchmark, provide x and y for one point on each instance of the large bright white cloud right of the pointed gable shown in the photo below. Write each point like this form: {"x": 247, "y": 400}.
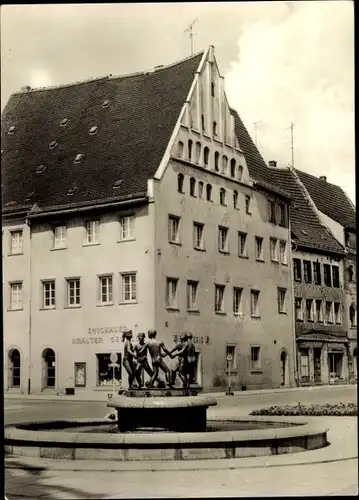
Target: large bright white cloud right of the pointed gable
{"x": 300, "y": 69}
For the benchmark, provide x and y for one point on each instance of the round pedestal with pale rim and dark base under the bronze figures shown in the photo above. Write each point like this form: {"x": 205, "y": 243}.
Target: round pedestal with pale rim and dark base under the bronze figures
{"x": 176, "y": 414}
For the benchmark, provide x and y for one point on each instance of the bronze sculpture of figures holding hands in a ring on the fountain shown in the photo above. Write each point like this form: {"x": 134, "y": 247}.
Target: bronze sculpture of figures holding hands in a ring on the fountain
{"x": 136, "y": 362}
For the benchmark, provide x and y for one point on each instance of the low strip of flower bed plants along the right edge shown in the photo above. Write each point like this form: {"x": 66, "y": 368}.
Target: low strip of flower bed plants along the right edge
{"x": 337, "y": 410}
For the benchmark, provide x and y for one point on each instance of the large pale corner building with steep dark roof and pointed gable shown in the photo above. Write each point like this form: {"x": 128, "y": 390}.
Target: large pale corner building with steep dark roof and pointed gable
{"x": 130, "y": 202}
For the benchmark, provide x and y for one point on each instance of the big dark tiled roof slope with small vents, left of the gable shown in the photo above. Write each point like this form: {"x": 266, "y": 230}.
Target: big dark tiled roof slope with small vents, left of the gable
{"x": 134, "y": 115}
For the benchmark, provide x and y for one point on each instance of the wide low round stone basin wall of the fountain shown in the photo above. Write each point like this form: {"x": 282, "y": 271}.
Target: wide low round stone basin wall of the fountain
{"x": 300, "y": 435}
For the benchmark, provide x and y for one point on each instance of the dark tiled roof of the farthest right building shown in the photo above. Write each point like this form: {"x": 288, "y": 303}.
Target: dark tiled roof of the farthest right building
{"x": 330, "y": 199}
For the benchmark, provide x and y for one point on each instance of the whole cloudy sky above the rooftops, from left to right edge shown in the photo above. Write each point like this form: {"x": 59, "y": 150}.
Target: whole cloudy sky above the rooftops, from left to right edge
{"x": 283, "y": 62}
